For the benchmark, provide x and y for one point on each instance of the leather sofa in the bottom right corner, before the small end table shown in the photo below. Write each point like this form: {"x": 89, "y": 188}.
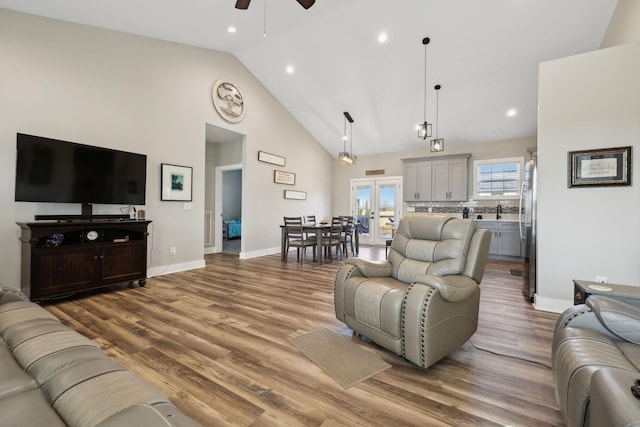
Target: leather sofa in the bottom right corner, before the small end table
{"x": 596, "y": 362}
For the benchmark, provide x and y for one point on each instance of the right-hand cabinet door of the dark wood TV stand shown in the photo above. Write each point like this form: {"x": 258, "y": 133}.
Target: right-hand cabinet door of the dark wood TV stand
{"x": 124, "y": 262}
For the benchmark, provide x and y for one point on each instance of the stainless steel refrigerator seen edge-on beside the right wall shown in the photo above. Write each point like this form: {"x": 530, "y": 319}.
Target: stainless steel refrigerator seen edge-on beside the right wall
{"x": 528, "y": 223}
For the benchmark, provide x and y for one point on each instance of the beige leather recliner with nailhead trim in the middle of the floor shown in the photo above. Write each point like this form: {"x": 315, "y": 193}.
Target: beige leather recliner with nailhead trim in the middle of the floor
{"x": 422, "y": 303}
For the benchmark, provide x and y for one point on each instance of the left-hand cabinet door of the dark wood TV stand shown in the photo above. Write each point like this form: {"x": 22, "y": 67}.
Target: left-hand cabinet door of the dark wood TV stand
{"x": 57, "y": 271}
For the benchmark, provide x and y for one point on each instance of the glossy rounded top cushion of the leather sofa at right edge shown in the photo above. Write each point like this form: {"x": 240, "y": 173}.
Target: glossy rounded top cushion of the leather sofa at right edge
{"x": 619, "y": 317}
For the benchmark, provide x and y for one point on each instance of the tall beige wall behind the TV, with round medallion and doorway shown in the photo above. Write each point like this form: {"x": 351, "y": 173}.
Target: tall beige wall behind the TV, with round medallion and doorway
{"x": 106, "y": 88}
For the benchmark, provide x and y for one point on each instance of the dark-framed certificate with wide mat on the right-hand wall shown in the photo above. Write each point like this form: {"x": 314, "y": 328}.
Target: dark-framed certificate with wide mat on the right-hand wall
{"x": 601, "y": 167}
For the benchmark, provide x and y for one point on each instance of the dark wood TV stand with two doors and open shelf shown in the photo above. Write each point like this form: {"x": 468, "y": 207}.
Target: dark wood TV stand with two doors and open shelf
{"x": 60, "y": 258}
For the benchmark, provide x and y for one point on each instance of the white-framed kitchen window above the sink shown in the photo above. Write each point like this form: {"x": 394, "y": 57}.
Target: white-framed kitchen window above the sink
{"x": 498, "y": 178}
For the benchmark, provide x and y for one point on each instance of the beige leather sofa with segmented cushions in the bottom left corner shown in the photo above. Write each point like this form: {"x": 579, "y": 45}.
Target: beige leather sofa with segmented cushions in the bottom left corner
{"x": 52, "y": 376}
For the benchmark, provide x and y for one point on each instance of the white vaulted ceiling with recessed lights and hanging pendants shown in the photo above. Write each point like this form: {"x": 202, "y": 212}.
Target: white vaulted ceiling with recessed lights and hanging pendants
{"x": 485, "y": 54}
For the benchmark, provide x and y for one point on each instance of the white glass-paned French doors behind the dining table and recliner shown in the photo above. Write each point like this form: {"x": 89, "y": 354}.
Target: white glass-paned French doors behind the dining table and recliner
{"x": 376, "y": 204}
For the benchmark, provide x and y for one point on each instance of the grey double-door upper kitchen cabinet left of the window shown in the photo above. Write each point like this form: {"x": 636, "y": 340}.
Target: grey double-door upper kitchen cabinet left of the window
{"x": 436, "y": 179}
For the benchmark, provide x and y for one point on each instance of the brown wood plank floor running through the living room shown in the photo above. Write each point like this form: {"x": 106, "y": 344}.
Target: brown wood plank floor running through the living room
{"x": 214, "y": 340}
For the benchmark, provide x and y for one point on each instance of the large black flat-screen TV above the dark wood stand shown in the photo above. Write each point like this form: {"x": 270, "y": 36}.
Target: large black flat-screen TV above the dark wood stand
{"x": 50, "y": 170}
